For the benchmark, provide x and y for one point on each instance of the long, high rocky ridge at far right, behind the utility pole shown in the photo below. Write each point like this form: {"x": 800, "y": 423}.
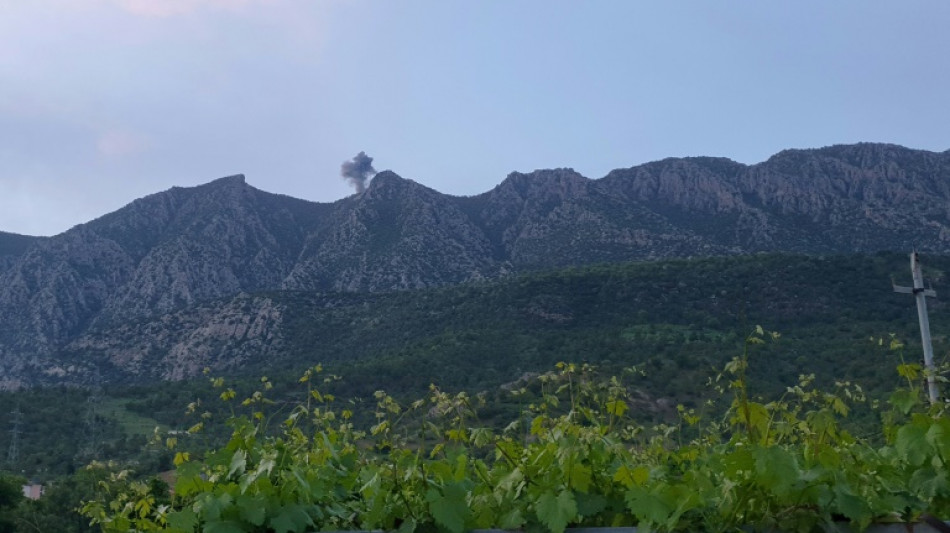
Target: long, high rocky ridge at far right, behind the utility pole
{"x": 857, "y": 198}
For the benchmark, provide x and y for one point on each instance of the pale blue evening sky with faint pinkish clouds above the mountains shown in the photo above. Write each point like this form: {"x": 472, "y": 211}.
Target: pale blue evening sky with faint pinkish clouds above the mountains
{"x": 106, "y": 101}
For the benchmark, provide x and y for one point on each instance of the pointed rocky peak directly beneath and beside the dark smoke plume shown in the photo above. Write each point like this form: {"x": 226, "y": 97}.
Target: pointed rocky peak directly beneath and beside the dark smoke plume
{"x": 396, "y": 235}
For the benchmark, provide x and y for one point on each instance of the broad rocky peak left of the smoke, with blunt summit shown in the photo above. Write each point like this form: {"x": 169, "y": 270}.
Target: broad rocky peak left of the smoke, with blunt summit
{"x": 223, "y": 238}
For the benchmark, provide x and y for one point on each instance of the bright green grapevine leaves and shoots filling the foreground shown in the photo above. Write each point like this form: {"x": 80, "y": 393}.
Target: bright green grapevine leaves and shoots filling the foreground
{"x": 575, "y": 458}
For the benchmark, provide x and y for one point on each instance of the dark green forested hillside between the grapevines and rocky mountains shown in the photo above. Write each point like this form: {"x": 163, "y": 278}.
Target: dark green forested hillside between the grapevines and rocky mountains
{"x": 677, "y": 321}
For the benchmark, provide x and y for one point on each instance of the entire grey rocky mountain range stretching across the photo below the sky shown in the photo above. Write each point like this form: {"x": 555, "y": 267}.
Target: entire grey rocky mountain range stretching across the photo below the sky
{"x": 132, "y": 288}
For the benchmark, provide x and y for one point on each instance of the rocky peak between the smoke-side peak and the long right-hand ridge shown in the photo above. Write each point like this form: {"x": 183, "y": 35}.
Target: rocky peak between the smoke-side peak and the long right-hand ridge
{"x": 559, "y": 218}
